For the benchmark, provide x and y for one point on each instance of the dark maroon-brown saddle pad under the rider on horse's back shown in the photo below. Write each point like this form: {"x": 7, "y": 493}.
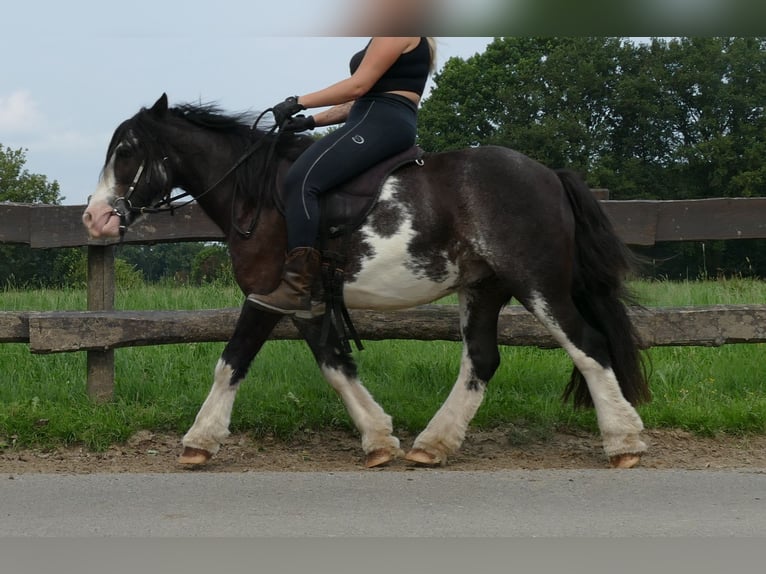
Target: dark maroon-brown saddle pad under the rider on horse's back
{"x": 345, "y": 208}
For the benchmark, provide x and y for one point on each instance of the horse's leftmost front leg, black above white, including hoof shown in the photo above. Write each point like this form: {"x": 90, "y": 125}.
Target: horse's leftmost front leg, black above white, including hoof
{"x": 211, "y": 425}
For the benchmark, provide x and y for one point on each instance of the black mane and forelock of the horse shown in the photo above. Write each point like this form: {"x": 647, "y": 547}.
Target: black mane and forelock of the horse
{"x": 256, "y": 178}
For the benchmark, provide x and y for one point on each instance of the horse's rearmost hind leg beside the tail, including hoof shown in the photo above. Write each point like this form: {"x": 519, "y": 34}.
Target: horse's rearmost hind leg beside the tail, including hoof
{"x": 619, "y": 423}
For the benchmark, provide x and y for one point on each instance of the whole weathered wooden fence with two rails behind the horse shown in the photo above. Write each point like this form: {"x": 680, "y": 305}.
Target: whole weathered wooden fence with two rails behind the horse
{"x": 101, "y": 329}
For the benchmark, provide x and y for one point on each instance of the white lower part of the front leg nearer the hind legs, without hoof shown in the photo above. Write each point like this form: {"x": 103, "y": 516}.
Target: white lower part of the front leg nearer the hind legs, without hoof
{"x": 370, "y": 419}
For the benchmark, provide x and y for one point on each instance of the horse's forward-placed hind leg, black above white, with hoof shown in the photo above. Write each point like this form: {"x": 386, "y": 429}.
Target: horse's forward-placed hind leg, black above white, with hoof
{"x": 446, "y": 431}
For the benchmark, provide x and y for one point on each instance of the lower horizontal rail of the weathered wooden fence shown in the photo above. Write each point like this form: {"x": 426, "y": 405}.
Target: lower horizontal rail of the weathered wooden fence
{"x": 64, "y": 331}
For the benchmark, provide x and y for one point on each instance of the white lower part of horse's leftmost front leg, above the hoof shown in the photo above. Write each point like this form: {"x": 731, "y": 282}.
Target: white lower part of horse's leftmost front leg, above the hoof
{"x": 211, "y": 426}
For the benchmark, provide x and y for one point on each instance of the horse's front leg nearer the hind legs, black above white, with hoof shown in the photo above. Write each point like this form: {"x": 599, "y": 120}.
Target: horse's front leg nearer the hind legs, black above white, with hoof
{"x": 339, "y": 369}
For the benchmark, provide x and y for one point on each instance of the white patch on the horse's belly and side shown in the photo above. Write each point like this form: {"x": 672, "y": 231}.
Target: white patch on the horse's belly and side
{"x": 387, "y": 279}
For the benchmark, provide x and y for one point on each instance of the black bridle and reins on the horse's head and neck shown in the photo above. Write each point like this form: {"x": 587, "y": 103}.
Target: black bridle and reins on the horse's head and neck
{"x": 123, "y": 206}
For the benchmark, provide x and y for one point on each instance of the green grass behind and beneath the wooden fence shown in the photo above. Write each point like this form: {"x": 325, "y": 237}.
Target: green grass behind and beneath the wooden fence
{"x": 43, "y": 401}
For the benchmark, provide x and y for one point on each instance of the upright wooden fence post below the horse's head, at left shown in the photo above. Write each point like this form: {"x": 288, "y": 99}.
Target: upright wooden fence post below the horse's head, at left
{"x": 100, "y": 384}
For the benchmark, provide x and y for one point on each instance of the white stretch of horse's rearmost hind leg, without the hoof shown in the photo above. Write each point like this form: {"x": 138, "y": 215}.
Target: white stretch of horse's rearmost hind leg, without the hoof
{"x": 617, "y": 419}
